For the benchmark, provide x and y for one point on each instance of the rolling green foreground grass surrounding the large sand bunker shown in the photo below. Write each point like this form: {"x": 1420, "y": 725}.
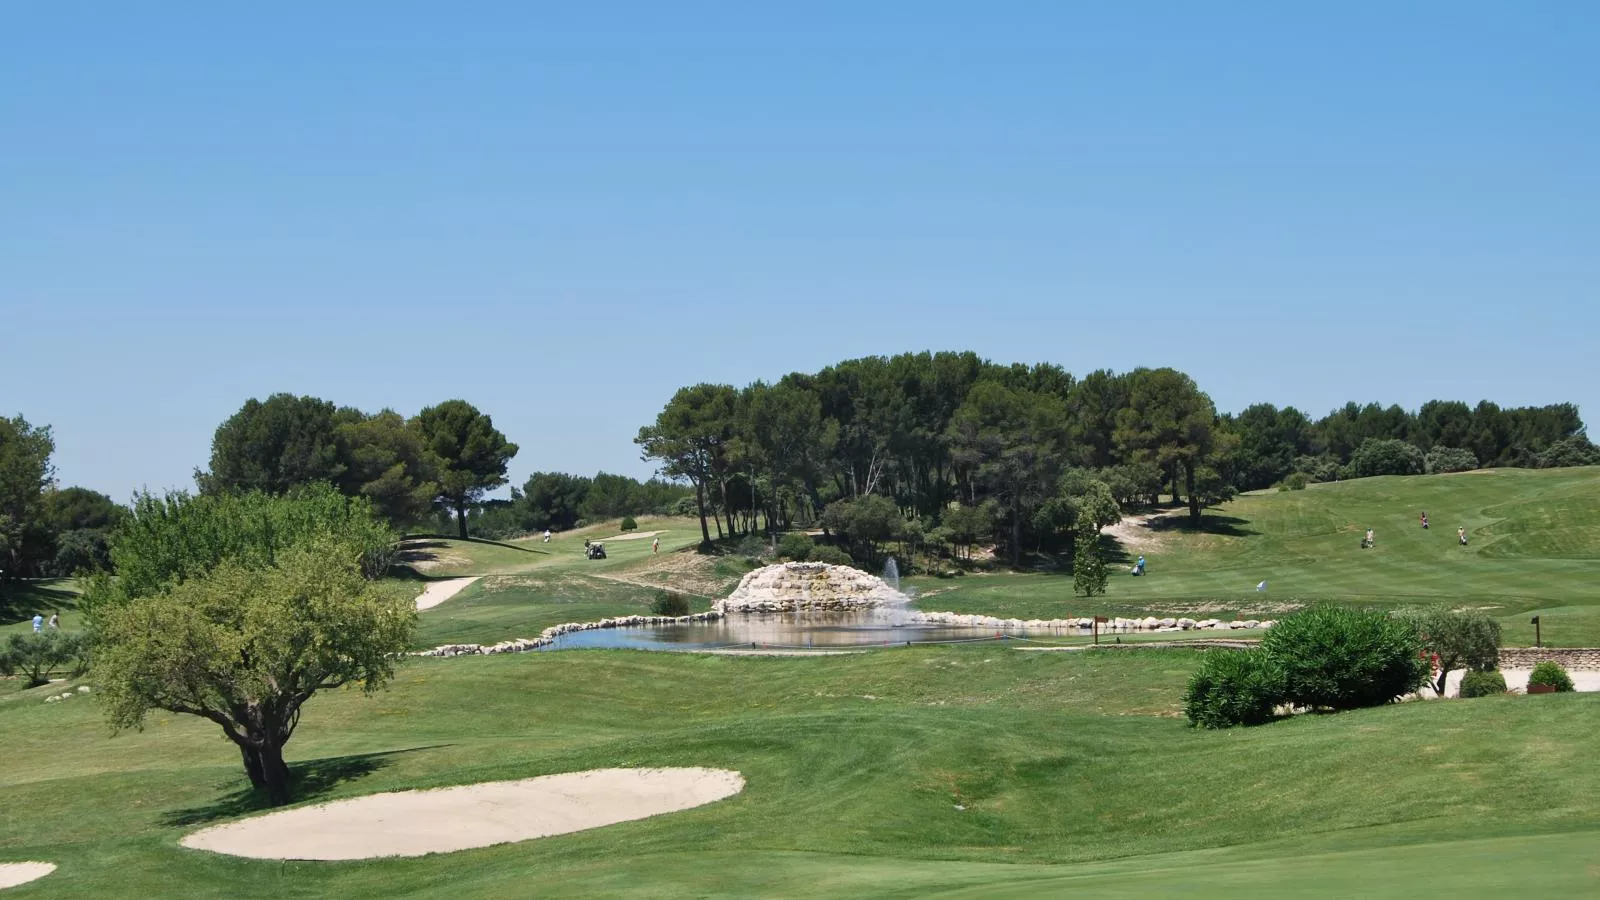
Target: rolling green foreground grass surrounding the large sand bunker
{"x": 1074, "y": 771}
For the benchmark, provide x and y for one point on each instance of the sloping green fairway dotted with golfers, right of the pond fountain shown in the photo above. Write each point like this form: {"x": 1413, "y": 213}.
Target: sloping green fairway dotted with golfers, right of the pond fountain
{"x": 1534, "y": 550}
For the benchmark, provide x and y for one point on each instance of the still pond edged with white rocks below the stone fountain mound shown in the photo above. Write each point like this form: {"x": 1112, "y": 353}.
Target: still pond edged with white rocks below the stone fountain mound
{"x": 863, "y": 629}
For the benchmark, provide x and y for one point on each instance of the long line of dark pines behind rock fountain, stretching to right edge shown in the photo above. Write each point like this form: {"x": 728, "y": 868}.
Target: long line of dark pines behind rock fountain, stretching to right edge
{"x": 966, "y": 449}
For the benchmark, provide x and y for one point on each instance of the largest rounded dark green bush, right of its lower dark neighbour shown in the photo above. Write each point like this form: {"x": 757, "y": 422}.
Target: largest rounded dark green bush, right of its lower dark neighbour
{"x": 1343, "y": 659}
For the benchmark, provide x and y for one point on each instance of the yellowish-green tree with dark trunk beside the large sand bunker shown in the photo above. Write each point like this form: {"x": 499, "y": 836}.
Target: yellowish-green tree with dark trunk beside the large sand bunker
{"x": 247, "y": 648}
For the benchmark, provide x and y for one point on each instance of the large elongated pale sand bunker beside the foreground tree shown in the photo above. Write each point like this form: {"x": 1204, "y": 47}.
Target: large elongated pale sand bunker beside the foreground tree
{"x": 414, "y": 824}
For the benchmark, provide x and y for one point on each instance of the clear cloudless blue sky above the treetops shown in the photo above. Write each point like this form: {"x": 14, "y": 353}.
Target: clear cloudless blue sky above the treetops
{"x": 566, "y": 212}
